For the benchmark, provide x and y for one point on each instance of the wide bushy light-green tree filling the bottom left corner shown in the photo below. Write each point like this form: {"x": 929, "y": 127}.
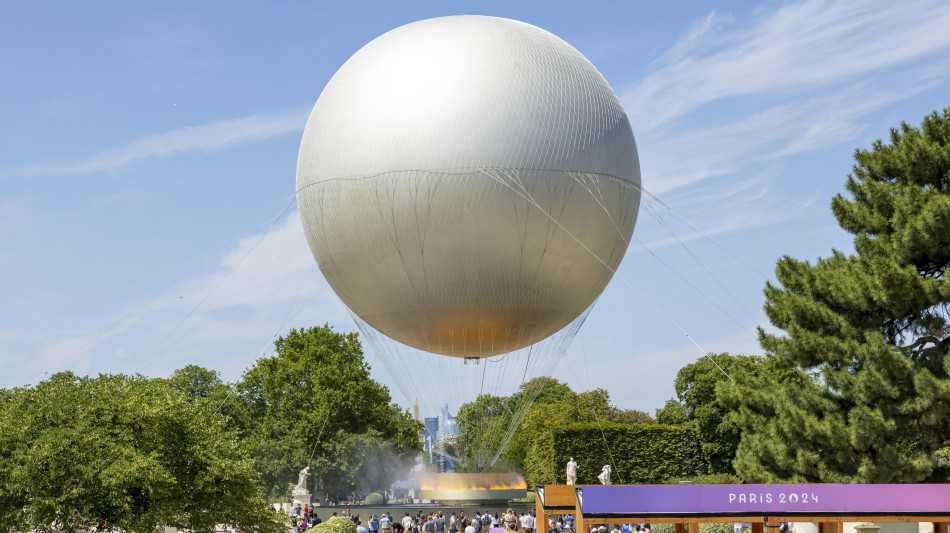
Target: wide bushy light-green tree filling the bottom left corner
{"x": 121, "y": 453}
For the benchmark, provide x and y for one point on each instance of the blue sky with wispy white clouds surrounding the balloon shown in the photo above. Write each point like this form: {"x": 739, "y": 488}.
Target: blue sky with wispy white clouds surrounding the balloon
{"x": 147, "y": 175}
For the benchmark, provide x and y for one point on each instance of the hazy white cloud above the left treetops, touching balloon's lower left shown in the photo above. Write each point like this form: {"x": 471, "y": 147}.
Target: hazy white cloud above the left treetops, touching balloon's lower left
{"x": 222, "y": 316}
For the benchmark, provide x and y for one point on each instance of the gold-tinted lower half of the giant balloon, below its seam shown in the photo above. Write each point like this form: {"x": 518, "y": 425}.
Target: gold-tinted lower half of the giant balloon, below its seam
{"x": 469, "y": 264}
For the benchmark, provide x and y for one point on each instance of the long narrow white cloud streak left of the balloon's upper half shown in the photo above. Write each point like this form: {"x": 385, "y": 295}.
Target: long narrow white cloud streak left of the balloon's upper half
{"x": 205, "y": 137}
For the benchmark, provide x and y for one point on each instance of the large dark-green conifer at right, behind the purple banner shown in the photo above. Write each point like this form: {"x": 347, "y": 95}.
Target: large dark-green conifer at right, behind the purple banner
{"x": 872, "y": 326}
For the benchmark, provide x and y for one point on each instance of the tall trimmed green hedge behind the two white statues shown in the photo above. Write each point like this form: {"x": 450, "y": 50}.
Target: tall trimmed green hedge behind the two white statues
{"x": 641, "y": 453}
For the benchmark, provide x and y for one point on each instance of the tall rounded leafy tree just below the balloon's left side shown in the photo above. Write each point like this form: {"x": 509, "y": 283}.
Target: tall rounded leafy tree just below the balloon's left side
{"x": 315, "y": 396}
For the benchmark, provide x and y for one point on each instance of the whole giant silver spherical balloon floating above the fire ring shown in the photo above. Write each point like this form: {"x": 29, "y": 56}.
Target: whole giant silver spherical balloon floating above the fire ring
{"x": 468, "y": 185}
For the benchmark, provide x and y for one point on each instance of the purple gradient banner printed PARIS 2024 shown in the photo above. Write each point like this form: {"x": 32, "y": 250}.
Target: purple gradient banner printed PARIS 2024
{"x": 765, "y": 499}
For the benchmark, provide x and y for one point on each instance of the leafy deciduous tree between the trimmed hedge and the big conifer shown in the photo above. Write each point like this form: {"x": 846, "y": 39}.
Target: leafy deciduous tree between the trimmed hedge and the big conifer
{"x": 707, "y": 414}
